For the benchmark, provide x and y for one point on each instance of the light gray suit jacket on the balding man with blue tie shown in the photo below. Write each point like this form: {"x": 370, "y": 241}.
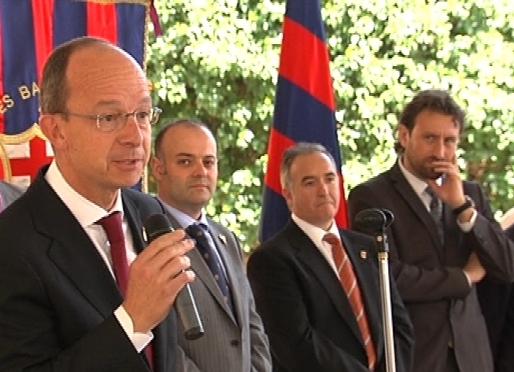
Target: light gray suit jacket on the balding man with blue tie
{"x": 229, "y": 344}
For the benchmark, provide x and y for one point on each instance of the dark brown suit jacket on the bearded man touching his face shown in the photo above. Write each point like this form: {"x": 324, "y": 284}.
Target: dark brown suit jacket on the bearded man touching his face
{"x": 429, "y": 276}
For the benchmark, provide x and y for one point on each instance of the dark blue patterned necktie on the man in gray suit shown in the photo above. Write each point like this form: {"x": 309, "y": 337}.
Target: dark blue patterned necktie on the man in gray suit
{"x": 205, "y": 247}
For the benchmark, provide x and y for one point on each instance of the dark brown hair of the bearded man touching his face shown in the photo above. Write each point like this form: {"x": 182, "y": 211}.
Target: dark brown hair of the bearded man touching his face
{"x": 433, "y": 100}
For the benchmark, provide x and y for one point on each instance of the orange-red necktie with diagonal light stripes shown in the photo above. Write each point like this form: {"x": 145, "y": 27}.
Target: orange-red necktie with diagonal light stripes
{"x": 351, "y": 287}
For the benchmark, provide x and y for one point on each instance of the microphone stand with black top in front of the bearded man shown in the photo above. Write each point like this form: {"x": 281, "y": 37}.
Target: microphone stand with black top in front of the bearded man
{"x": 376, "y": 221}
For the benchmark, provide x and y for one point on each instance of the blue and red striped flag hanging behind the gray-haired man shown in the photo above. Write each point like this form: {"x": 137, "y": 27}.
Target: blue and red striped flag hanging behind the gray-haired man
{"x": 304, "y": 106}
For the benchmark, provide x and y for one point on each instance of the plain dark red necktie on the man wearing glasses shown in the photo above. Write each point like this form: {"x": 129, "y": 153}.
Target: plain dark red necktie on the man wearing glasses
{"x": 114, "y": 231}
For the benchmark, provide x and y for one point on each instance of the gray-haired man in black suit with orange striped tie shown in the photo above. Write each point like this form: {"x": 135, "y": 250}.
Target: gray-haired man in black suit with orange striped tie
{"x": 317, "y": 286}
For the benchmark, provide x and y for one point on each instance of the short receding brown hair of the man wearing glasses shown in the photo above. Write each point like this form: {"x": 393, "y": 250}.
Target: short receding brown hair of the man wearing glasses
{"x": 54, "y": 88}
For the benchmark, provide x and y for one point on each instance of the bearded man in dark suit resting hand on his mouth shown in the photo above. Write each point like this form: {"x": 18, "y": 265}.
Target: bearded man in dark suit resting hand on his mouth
{"x": 444, "y": 239}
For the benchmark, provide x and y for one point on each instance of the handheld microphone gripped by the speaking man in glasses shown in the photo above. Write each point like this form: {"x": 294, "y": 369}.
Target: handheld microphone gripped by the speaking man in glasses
{"x": 155, "y": 226}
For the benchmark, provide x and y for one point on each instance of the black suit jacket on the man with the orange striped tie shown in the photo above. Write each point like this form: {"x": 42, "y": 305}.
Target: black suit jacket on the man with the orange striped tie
{"x": 306, "y": 313}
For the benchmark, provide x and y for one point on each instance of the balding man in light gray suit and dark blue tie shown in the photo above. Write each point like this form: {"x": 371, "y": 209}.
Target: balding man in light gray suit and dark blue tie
{"x": 185, "y": 166}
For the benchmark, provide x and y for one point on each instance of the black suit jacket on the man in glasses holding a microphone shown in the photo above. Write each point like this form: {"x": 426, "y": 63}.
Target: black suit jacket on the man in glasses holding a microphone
{"x": 57, "y": 296}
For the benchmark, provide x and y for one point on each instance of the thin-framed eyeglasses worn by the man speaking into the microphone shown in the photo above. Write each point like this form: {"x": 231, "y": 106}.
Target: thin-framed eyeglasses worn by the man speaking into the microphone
{"x": 153, "y": 117}
